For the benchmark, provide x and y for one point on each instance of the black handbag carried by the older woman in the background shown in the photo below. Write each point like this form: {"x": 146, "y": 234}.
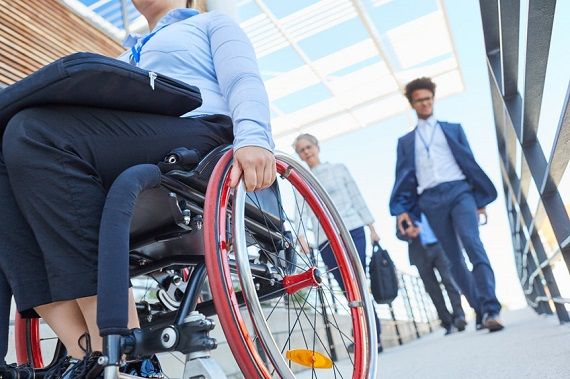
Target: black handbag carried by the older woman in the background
{"x": 383, "y": 276}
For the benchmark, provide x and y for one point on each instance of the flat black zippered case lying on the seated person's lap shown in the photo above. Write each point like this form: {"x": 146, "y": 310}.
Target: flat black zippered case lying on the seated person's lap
{"x": 93, "y": 80}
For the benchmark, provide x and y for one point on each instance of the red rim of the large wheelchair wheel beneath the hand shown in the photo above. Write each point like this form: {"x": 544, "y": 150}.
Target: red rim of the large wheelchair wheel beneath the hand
{"x": 225, "y": 301}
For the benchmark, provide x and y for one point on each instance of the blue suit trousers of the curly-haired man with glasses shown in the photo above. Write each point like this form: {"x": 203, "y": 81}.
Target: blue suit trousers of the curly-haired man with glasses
{"x": 452, "y": 213}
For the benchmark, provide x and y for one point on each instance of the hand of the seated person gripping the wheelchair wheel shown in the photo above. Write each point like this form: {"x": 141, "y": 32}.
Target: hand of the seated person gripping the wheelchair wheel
{"x": 257, "y": 166}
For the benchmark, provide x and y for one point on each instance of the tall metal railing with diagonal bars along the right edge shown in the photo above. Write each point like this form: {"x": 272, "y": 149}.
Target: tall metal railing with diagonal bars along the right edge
{"x": 528, "y": 173}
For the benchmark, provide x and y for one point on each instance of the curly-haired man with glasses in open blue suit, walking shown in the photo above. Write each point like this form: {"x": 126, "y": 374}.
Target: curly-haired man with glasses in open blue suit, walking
{"x": 436, "y": 174}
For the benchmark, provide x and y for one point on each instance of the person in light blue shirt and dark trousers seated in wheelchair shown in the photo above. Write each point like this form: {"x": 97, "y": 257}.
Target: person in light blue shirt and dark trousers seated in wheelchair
{"x": 58, "y": 163}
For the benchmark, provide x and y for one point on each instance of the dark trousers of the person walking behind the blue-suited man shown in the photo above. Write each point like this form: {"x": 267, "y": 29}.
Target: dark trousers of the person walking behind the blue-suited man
{"x": 434, "y": 258}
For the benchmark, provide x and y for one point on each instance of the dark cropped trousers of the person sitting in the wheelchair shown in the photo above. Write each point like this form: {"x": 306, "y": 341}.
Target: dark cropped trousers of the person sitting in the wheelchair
{"x": 56, "y": 166}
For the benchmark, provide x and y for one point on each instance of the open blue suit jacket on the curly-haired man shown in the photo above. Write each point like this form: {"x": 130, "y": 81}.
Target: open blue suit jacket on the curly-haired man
{"x": 404, "y": 196}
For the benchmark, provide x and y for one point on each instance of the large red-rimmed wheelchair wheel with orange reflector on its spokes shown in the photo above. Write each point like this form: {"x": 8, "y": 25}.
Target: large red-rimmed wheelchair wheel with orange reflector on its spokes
{"x": 297, "y": 319}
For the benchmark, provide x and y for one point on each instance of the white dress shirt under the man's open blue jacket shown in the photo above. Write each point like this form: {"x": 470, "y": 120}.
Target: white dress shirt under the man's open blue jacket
{"x": 435, "y": 163}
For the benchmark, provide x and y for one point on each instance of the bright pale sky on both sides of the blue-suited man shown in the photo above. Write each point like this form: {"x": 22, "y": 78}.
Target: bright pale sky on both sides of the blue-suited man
{"x": 370, "y": 153}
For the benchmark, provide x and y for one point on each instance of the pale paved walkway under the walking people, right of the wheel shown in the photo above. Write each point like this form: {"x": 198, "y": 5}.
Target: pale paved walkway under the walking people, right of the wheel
{"x": 530, "y": 346}
